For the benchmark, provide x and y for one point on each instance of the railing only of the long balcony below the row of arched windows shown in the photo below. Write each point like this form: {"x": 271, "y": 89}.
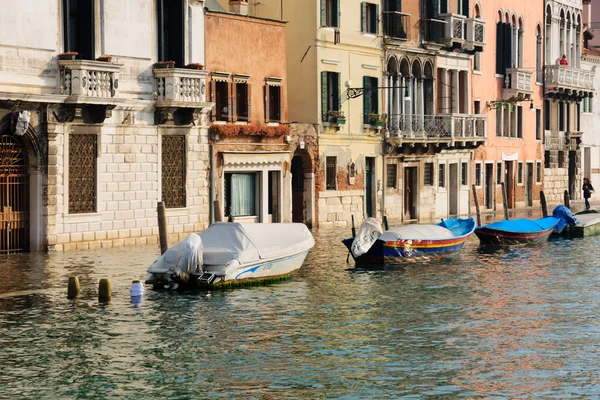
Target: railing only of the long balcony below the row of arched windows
{"x": 441, "y": 126}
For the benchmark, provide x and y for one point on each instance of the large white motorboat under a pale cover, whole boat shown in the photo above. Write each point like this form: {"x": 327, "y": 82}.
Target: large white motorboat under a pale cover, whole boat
{"x": 229, "y": 254}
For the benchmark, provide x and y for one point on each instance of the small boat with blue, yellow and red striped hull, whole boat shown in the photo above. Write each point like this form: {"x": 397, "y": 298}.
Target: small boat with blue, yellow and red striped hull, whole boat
{"x": 408, "y": 242}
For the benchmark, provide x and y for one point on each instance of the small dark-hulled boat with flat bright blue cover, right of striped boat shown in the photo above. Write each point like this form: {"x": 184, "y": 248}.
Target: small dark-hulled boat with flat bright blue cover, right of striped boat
{"x": 515, "y": 231}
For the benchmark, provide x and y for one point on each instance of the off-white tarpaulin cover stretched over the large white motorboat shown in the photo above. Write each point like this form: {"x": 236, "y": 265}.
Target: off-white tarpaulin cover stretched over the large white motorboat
{"x": 226, "y": 241}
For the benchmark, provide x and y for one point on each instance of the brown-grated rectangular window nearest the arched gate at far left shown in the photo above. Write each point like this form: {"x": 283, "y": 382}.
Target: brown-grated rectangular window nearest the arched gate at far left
{"x": 82, "y": 173}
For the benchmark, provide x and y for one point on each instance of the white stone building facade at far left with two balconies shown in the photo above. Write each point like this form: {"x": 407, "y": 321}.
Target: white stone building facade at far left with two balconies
{"x": 95, "y": 130}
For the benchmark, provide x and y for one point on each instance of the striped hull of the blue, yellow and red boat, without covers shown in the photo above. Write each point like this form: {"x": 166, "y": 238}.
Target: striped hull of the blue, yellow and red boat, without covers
{"x": 403, "y": 251}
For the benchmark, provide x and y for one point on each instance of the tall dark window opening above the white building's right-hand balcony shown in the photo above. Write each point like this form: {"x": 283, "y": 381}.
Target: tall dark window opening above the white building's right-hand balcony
{"x": 171, "y": 31}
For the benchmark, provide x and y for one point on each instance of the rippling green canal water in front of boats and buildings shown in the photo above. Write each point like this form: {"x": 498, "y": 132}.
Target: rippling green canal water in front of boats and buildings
{"x": 521, "y": 323}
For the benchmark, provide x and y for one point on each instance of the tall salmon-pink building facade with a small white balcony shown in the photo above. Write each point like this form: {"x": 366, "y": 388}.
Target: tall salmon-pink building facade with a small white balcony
{"x": 507, "y": 87}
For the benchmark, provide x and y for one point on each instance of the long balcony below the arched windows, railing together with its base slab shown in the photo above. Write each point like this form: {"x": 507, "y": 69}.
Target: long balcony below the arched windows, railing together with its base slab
{"x": 452, "y": 130}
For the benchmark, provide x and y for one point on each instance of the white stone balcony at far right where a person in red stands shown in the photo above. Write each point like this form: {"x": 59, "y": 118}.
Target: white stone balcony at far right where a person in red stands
{"x": 568, "y": 82}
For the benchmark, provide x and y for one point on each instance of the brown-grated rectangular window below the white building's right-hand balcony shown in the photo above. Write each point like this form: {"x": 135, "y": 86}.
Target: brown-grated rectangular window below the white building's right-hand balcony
{"x": 173, "y": 171}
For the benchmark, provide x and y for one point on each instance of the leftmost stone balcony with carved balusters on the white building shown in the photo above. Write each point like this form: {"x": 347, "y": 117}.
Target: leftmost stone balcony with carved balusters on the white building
{"x": 89, "y": 82}
